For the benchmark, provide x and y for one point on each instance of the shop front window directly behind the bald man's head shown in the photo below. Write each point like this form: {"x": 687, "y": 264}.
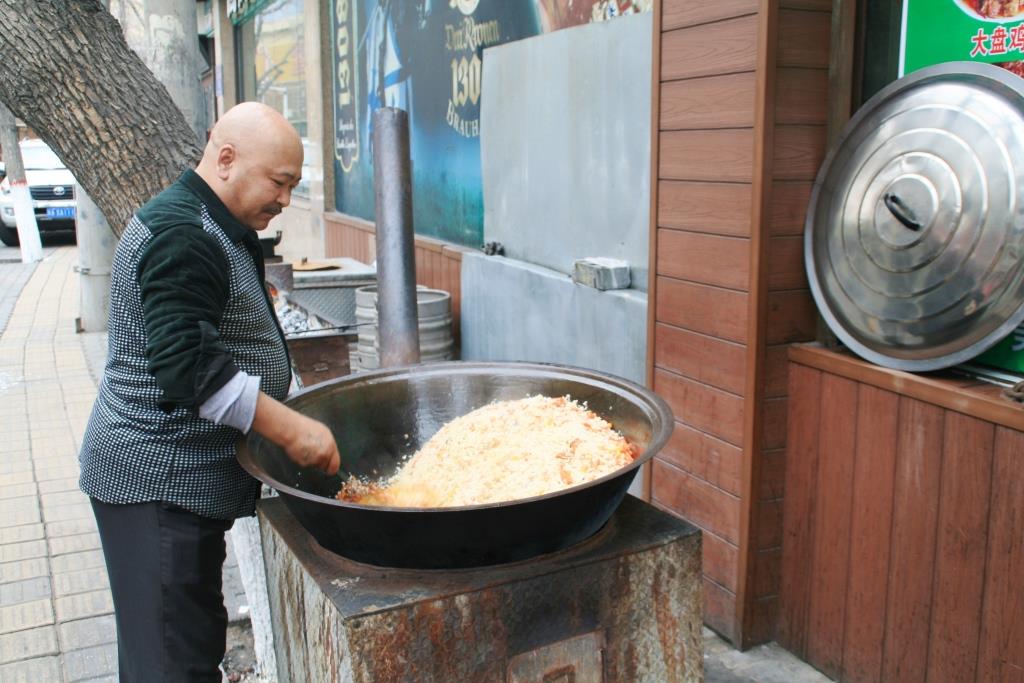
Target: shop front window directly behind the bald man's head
{"x": 272, "y": 66}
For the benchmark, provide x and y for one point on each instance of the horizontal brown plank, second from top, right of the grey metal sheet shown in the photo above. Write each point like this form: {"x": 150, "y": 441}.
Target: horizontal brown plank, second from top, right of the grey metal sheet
{"x": 710, "y": 50}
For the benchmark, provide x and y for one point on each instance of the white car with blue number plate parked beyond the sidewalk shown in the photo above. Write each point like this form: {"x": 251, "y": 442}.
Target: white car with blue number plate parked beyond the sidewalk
{"x": 53, "y": 190}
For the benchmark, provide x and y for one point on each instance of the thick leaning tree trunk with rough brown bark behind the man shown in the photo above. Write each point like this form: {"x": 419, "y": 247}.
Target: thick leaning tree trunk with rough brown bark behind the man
{"x": 69, "y": 74}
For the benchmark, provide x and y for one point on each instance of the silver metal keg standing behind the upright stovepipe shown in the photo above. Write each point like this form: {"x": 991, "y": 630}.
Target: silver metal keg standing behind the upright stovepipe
{"x": 435, "y": 316}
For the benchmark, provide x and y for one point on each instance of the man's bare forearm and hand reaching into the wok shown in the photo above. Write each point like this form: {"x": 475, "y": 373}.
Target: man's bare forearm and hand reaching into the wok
{"x": 307, "y": 442}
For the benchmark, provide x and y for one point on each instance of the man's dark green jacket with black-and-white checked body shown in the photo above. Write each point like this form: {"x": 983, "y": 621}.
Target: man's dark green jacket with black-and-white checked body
{"x": 189, "y": 314}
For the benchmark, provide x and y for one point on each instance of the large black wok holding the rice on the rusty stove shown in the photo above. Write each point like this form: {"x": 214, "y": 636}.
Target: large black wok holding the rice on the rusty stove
{"x": 378, "y": 418}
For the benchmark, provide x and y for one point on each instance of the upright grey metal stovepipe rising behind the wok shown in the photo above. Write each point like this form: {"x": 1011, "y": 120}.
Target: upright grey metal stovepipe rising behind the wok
{"x": 396, "y": 253}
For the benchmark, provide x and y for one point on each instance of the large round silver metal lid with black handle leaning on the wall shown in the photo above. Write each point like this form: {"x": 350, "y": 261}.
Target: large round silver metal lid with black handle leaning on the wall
{"x": 915, "y": 236}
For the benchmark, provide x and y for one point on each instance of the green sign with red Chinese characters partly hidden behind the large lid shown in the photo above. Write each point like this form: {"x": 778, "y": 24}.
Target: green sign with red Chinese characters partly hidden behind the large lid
{"x": 993, "y": 31}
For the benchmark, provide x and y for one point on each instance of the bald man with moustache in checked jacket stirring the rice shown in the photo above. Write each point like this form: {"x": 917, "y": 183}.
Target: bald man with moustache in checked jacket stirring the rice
{"x": 196, "y": 359}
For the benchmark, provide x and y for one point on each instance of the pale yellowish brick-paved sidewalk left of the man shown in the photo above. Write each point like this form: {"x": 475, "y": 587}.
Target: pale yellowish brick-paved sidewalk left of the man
{"x": 56, "y": 612}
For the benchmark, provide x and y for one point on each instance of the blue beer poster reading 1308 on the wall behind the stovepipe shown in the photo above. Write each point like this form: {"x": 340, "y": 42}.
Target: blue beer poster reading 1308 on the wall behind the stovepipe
{"x": 425, "y": 57}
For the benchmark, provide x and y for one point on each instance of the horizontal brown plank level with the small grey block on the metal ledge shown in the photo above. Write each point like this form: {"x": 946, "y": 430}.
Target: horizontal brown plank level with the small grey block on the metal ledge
{"x": 709, "y": 260}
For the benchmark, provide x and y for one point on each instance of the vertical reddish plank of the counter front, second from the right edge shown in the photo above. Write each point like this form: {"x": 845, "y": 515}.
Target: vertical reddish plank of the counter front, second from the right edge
{"x": 961, "y": 549}
